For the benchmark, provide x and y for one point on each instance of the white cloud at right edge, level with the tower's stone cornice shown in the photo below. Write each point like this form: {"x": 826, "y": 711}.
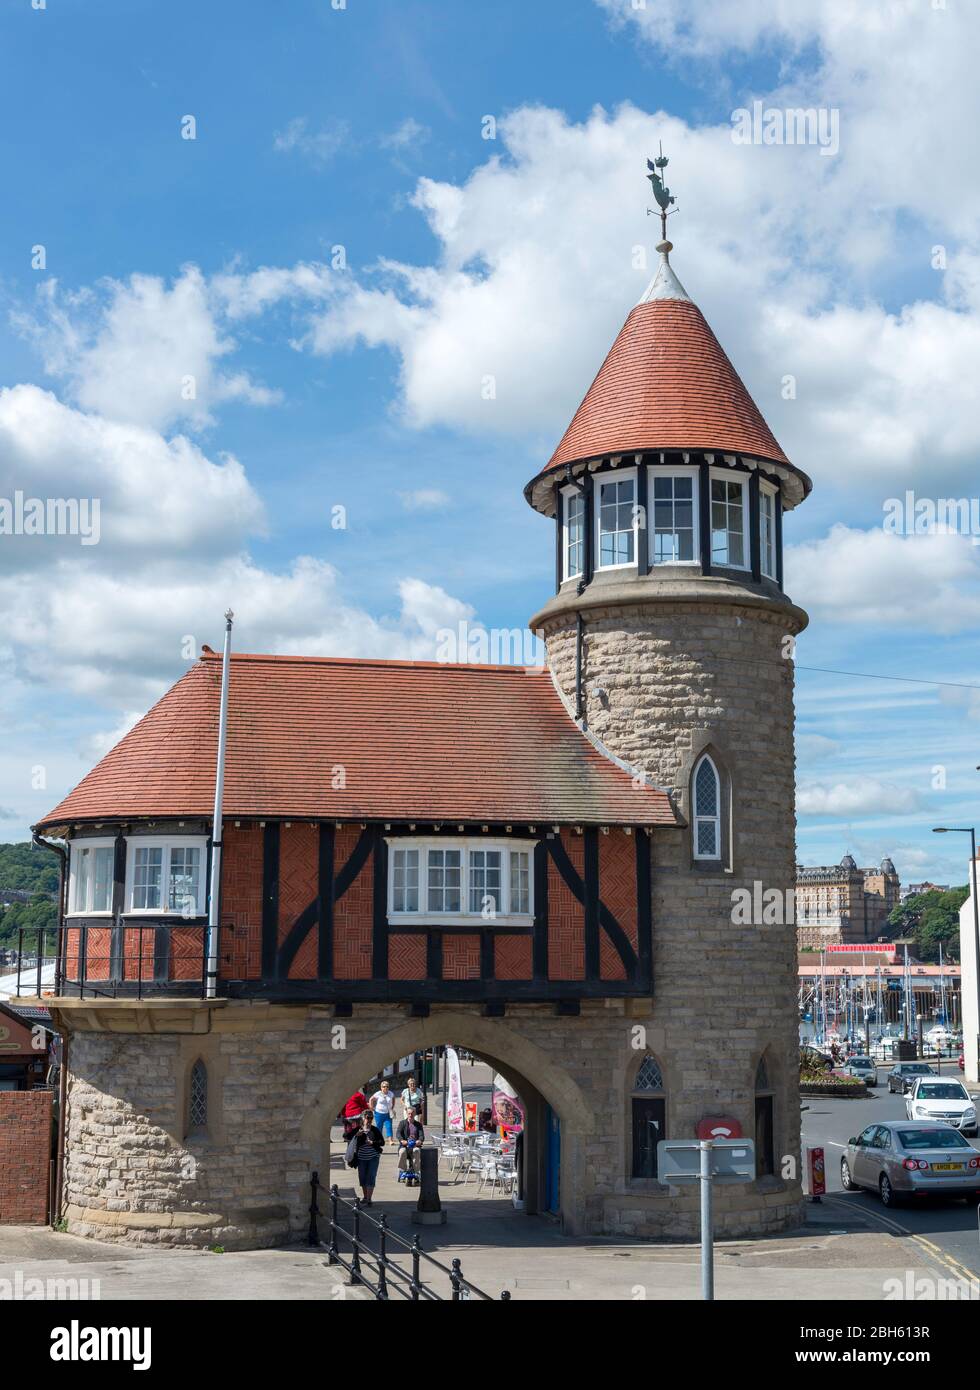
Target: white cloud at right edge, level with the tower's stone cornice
{"x": 876, "y": 579}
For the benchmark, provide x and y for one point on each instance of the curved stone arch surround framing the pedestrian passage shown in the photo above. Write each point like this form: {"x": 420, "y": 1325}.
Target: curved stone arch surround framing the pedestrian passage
{"x": 528, "y": 1065}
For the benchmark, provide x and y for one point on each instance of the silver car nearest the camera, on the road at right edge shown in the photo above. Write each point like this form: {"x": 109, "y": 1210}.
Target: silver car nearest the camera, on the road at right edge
{"x": 901, "y": 1160}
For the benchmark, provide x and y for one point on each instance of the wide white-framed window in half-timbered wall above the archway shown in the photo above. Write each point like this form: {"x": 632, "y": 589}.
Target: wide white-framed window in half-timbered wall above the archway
{"x": 461, "y": 882}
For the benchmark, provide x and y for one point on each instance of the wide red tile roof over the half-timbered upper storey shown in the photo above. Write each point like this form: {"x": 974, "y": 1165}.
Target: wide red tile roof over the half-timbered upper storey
{"x": 416, "y": 742}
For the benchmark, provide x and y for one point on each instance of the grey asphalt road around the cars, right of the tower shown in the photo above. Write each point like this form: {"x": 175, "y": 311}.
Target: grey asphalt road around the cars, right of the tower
{"x": 950, "y": 1225}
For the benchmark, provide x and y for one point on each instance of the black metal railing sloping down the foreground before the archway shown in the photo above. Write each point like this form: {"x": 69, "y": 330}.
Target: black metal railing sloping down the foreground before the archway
{"x": 375, "y": 1270}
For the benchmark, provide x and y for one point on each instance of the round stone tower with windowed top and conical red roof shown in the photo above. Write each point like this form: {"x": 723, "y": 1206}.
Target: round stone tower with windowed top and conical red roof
{"x": 671, "y": 640}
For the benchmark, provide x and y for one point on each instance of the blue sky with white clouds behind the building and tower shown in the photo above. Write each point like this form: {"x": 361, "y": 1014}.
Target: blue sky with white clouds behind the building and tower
{"x": 259, "y": 265}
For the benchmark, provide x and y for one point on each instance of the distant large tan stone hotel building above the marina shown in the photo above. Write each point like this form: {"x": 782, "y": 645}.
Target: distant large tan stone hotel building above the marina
{"x": 843, "y": 904}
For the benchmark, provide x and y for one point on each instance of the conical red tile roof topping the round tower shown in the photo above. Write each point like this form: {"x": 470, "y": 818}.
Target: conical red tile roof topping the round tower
{"x": 667, "y": 384}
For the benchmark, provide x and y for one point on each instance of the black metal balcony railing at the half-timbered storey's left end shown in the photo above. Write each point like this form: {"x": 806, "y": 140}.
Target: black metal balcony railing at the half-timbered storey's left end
{"x": 117, "y": 958}
